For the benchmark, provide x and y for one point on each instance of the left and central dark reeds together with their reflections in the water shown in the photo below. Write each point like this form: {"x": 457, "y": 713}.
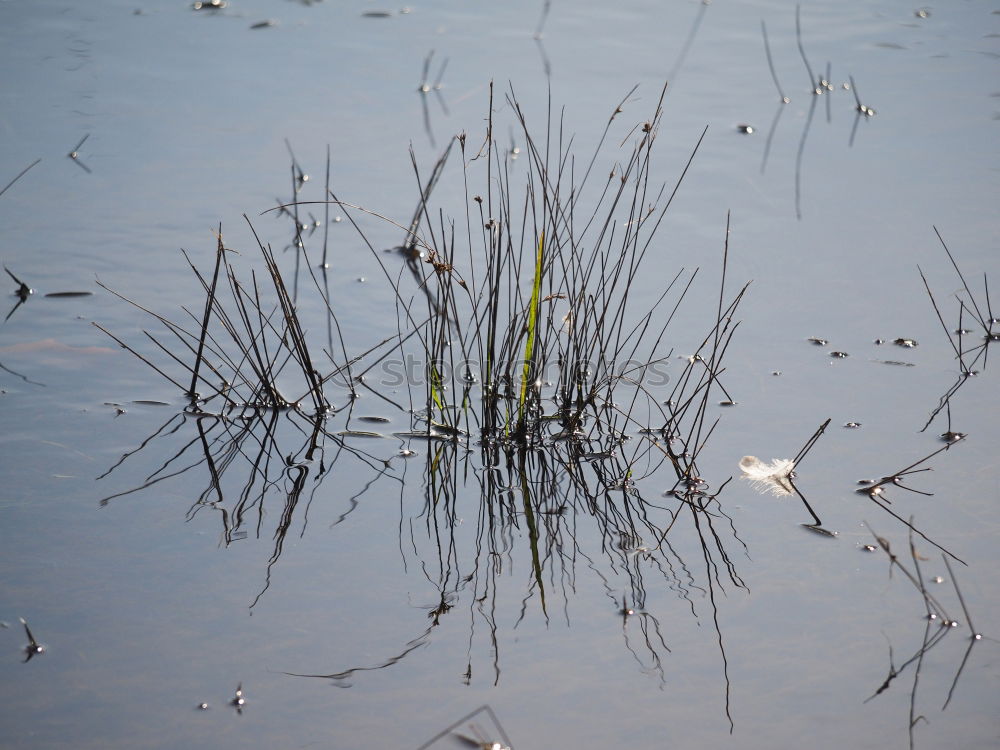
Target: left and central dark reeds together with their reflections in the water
{"x": 543, "y": 403}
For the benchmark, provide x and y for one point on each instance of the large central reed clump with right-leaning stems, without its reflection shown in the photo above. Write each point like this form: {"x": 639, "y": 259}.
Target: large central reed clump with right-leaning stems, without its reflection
{"x": 531, "y": 326}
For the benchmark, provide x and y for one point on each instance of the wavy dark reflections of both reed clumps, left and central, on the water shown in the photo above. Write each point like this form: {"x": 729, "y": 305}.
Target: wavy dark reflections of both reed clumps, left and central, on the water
{"x": 555, "y": 506}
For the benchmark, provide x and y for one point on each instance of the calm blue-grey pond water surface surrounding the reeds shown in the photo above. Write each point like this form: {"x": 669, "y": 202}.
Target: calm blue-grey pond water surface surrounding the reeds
{"x": 367, "y": 598}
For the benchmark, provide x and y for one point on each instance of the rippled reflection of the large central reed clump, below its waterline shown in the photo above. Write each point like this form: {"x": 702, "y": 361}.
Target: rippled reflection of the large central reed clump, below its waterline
{"x": 542, "y": 517}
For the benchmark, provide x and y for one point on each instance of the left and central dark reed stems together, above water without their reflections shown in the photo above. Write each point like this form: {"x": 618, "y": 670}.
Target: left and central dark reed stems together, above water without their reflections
{"x": 522, "y": 311}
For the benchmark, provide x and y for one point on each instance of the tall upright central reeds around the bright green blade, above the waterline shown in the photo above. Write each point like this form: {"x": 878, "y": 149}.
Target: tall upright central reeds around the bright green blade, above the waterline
{"x": 575, "y": 322}
